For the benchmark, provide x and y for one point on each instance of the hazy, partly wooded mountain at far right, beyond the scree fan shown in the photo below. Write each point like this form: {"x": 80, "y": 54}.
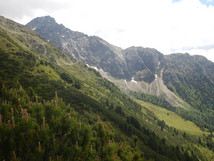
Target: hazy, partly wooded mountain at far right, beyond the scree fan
{"x": 191, "y": 77}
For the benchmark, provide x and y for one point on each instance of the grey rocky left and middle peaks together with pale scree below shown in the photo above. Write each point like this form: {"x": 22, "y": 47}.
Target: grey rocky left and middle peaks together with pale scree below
{"x": 130, "y": 67}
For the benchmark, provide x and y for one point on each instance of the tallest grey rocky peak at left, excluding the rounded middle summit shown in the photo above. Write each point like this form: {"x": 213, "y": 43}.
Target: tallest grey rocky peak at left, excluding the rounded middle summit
{"x": 91, "y": 50}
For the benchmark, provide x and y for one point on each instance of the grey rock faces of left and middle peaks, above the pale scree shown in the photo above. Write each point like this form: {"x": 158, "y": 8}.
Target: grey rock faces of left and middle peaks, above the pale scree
{"x": 132, "y": 63}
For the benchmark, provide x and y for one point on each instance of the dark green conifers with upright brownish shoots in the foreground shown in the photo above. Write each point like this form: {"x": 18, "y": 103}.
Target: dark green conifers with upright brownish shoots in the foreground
{"x": 32, "y": 128}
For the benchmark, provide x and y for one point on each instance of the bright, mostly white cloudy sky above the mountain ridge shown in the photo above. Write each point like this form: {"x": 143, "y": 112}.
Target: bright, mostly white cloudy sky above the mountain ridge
{"x": 170, "y": 26}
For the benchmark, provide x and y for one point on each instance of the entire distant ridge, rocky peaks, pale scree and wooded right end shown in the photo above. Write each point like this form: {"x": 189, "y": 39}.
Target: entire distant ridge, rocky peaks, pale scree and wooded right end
{"x": 136, "y": 68}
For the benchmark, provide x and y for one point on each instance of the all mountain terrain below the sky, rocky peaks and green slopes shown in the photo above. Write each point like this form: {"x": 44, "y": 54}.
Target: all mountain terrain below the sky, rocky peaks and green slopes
{"x": 132, "y": 104}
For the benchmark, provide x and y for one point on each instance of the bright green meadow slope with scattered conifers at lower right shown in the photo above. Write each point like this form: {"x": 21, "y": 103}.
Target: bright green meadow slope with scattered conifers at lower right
{"x": 174, "y": 128}
